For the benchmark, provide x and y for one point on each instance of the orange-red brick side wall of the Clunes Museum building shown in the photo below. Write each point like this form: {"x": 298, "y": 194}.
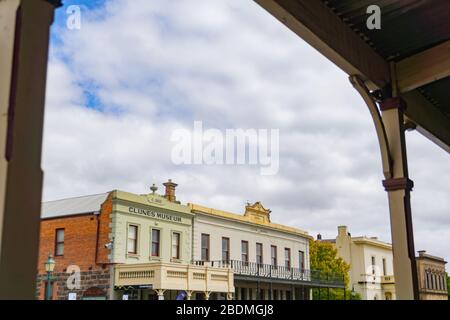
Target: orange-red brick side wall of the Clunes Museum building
{"x": 85, "y": 237}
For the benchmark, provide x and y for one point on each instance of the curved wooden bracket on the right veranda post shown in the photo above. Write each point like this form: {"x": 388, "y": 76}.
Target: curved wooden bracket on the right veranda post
{"x": 386, "y": 159}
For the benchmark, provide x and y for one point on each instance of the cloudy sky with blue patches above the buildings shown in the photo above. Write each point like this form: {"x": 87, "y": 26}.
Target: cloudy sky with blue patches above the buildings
{"x": 138, "y": 70}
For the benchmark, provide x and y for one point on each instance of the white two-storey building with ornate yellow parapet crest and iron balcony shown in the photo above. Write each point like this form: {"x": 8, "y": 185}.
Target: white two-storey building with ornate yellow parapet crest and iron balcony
{"x": 270, "y": 261}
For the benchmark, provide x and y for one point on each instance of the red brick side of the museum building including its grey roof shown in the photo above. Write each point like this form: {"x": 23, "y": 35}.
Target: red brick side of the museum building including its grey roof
{"x": 76, "y": 233}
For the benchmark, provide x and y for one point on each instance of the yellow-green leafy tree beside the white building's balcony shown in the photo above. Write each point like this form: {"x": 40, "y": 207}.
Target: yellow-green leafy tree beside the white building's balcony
{"x": 324, "y": 258}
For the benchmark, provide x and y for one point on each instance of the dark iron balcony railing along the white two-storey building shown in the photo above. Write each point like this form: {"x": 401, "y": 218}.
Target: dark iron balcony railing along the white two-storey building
{"x": 253, "y": 269}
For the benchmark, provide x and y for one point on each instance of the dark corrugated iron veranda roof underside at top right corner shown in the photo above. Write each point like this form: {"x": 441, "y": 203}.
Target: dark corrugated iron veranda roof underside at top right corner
{"x": 407, "y": 26}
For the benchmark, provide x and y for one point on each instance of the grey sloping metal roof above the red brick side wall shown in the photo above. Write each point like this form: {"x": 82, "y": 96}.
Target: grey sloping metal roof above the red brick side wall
{"x": 73, "y": 206}
